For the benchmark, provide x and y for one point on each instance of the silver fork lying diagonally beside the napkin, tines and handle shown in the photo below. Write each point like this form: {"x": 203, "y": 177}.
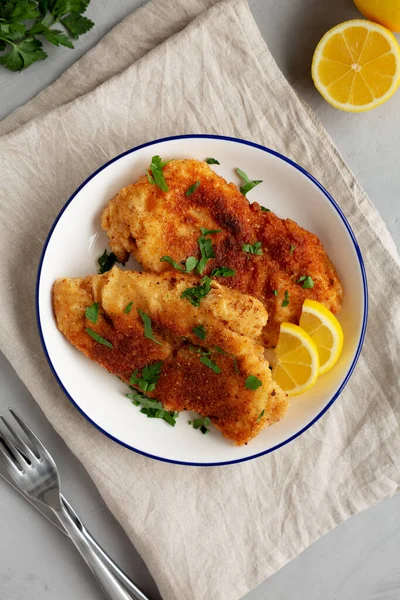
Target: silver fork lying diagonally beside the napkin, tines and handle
{"x": 34, "y": 472}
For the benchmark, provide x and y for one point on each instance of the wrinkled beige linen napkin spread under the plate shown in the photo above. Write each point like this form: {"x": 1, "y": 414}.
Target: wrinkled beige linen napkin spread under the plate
{"x": 211, "y": 533}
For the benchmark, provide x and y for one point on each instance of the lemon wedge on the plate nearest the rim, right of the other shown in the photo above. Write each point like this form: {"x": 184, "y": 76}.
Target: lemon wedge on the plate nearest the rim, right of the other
{"x": 325, "y": 330}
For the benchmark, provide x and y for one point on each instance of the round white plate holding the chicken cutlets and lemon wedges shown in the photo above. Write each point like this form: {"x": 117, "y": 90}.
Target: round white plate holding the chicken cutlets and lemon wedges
{"x": 289, "y": 191}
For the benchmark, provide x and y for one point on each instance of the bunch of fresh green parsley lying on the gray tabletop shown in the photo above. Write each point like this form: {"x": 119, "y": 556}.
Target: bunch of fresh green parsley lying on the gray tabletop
{"x": 23, "y": 22}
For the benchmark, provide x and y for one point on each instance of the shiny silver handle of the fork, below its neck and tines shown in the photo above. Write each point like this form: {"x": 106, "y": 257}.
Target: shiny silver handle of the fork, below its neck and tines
{"x": 108, "y": 582}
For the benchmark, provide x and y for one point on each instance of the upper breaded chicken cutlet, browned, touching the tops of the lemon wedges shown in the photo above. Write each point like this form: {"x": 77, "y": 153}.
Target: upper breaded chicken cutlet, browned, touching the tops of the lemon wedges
{"x": 150, "y": 223}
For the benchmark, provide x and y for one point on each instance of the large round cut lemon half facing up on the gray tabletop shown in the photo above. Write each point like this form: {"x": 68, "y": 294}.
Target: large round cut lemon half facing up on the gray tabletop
{"x": 356, "y": 65}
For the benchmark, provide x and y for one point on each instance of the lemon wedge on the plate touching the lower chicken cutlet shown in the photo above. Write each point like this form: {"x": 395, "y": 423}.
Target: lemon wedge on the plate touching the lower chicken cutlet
{"x": 297, "y": 360}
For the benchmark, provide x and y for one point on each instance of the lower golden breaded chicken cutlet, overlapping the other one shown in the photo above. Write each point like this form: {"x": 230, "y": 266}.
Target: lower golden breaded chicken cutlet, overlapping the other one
{"x": 205, "y": 375}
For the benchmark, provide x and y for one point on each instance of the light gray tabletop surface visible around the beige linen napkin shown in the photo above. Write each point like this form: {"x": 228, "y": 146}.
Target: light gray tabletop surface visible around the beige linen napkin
{"x": 360, "y": 559}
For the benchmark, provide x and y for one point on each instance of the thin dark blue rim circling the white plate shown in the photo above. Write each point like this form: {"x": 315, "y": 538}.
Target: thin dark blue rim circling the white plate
{"x": 349, "y": 230}
